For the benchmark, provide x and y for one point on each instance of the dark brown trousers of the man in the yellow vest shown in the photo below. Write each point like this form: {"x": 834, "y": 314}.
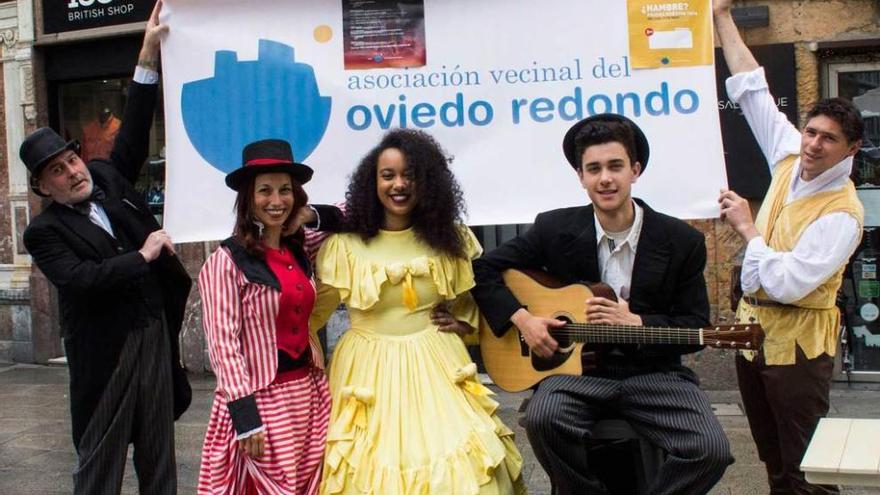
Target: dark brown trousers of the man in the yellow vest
{"x": 784, "y": 404}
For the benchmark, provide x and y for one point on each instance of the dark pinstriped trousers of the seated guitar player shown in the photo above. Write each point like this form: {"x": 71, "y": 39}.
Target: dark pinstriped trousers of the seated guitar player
{"x": 666, "y": 408}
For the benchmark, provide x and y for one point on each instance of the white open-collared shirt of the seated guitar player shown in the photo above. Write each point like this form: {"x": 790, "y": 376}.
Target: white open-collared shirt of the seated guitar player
{"x": 615, "y": 264}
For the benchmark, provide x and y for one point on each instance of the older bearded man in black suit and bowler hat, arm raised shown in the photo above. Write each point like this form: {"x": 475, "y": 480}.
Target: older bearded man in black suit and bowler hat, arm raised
{"x": 122, "y": 294}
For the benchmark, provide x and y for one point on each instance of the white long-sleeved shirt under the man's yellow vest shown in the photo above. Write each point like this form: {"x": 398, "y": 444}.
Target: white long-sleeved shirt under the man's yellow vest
{"x": 825, "y": 244}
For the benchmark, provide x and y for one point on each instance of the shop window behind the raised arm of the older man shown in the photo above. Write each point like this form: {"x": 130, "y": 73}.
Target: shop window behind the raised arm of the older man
{"x": 91, "y": 111}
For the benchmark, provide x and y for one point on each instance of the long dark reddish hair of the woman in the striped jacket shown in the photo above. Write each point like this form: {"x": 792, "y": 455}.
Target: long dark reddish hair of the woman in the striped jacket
{"x": 246, "y": 232}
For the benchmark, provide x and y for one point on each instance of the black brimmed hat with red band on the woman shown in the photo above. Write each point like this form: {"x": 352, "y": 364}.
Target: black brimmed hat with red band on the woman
{"x": 265, "y": 157}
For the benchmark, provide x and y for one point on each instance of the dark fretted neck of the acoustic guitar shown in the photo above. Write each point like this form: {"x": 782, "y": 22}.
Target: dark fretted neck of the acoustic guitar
{"x": 629, "y": 334}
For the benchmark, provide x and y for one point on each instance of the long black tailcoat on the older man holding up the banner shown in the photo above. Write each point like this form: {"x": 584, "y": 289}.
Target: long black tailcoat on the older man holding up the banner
{"x": 99, "y": 285}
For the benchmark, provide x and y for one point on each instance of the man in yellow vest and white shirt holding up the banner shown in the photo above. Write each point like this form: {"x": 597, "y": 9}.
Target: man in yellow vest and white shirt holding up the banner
{"x": 797, "y": 249}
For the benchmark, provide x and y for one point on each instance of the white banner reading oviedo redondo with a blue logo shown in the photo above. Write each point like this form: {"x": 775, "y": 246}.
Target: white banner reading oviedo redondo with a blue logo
{"x": 501, "y": 82}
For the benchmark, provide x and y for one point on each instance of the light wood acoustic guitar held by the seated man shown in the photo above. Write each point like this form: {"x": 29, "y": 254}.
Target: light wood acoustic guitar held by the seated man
{"x": 513, "y": 367}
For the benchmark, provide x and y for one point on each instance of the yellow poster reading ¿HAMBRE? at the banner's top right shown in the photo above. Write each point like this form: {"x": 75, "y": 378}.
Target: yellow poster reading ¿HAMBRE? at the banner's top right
{"x": 670, "y": 34}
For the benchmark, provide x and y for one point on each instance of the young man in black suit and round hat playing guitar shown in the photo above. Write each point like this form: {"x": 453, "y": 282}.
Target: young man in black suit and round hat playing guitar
{"x": 655, "y": 265}
